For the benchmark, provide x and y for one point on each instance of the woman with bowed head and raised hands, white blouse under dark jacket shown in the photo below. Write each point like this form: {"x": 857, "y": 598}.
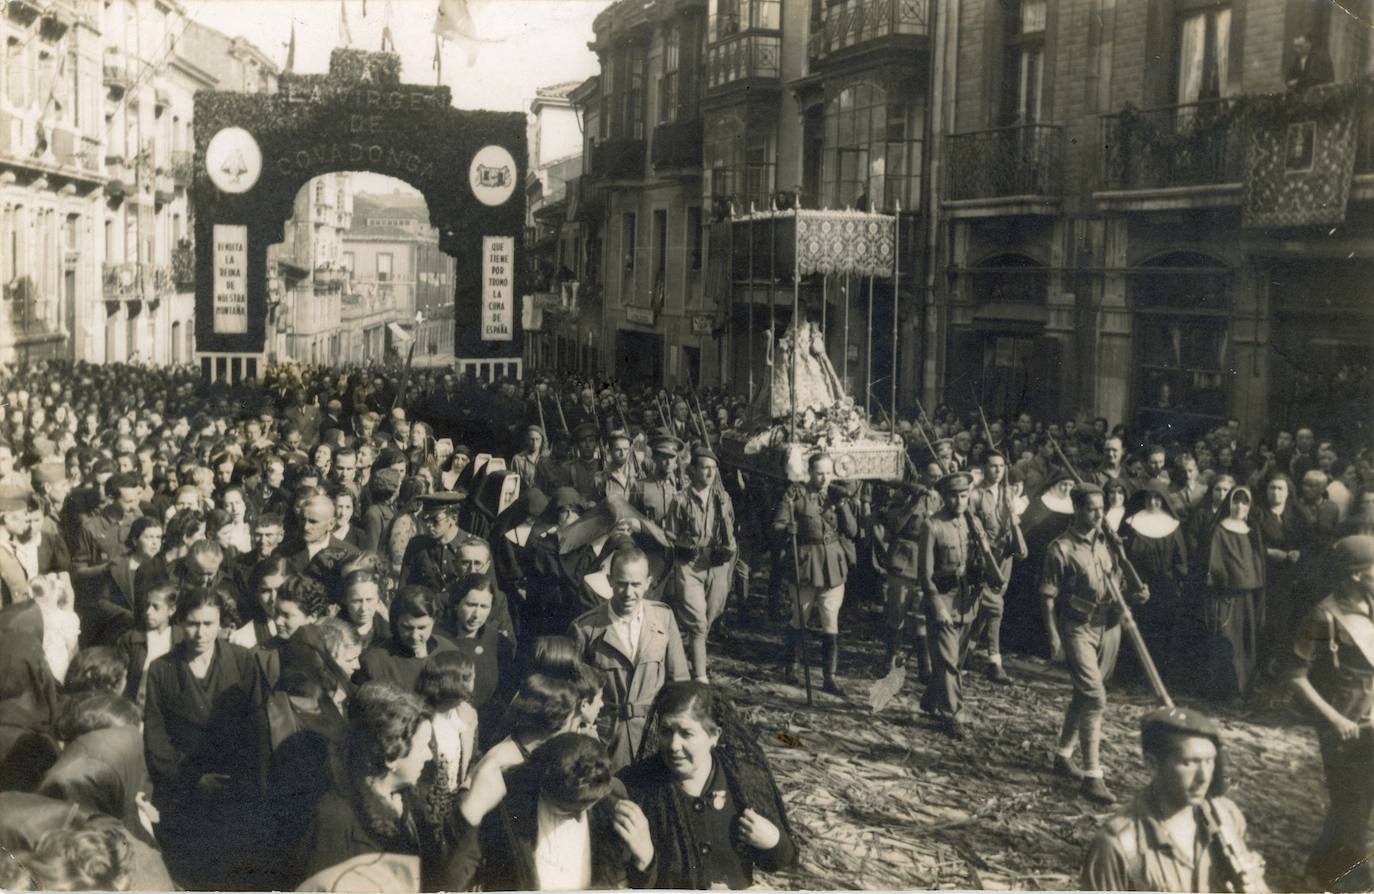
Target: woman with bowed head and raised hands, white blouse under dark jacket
{"x": 563, "y": 826}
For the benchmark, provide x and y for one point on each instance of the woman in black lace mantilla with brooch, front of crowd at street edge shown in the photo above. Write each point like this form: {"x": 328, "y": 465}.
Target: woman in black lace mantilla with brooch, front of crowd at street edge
{"x": 714, "y": 808}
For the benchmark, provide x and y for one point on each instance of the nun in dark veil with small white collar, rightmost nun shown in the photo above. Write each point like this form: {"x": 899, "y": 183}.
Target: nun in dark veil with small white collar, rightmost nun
{"x": 1235, "y": 590}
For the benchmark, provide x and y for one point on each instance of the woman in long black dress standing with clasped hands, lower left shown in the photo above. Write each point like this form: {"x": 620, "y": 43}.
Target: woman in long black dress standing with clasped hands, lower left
{"x": 203, "y": 729}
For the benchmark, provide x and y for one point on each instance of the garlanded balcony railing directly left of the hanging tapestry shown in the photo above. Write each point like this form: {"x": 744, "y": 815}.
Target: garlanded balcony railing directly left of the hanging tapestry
{"x": 1175, "y": 146}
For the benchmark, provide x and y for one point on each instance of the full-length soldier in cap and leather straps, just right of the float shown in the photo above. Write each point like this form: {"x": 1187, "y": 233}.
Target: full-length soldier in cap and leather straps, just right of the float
{"x": 947, "y": 566}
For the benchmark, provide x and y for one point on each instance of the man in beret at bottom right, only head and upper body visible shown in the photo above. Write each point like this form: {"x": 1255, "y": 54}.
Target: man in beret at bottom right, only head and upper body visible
{"x": 1180, "y": 834}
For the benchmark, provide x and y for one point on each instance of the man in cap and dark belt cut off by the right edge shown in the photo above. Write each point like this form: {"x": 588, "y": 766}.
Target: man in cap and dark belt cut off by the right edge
{"x": 1331, "y": 669}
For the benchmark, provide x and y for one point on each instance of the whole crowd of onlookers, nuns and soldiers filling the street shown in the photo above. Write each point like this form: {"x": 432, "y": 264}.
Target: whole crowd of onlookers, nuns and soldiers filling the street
{"x": 406, "y": 631}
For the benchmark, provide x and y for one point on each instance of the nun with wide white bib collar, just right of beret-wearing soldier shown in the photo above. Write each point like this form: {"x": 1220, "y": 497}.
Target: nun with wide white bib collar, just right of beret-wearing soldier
{"x": 1155, "y": 545}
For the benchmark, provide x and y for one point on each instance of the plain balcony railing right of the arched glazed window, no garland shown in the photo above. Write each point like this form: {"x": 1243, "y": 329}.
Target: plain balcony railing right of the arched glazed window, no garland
{"x": 1023, "y": 160}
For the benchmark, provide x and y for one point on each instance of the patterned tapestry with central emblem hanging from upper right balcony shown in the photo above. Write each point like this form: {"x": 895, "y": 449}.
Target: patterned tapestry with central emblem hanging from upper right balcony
{"x": 1302, "y": 156}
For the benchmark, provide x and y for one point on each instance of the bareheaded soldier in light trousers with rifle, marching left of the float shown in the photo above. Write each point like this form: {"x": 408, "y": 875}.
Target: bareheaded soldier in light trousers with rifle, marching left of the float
{"x": 701, "y": 527}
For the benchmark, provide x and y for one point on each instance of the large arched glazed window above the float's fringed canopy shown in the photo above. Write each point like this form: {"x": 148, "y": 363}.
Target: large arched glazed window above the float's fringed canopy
{"x": 873, "y": 150}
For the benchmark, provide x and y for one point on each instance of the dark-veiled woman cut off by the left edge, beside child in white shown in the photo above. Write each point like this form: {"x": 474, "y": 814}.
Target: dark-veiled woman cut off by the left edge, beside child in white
{"x": 28, "y": 700}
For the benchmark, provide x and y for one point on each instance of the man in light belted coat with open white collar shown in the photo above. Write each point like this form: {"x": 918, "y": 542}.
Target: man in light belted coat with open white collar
{"x": 637, "y": 645}
